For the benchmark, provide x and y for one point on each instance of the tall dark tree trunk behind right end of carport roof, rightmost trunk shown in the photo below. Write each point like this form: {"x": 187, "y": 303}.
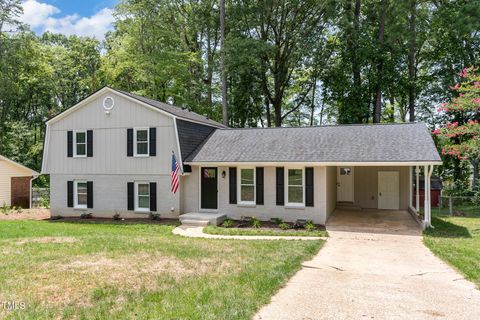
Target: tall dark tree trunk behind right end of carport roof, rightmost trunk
{"x": 411, "y": 60}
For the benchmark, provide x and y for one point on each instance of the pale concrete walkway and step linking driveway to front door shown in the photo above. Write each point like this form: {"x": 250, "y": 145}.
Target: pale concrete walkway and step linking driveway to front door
{"x": 197, "y": 232}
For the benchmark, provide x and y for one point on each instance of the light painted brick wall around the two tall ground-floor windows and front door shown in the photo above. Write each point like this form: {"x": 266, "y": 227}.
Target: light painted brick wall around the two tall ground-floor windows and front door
{"x": 318, "y": 213}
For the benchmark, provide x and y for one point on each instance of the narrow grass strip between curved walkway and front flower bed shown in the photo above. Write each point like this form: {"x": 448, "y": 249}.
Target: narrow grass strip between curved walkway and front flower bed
{"x": 263, "y": 232}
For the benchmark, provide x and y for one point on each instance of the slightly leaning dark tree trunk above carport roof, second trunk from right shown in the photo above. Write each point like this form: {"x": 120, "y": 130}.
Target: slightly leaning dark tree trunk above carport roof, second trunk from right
{"x": 377, "y": 111}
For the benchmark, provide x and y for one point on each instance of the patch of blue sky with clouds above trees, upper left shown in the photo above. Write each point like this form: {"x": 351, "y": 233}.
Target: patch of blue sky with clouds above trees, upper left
{"x": 83, "y": 18}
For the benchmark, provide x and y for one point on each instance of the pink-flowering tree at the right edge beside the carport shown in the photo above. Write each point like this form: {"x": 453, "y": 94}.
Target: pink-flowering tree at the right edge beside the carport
{"x": 460, "y": 137}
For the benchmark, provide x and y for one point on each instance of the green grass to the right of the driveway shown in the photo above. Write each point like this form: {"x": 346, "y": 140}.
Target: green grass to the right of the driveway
{"x": 457, "y": 241}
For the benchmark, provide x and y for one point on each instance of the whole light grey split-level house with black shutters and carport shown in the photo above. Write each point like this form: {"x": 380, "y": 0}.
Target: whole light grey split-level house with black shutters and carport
{"x": 111, "y": 153}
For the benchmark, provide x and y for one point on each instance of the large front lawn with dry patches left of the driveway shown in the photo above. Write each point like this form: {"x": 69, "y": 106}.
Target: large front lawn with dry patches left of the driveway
{"x": 138, "y": 271}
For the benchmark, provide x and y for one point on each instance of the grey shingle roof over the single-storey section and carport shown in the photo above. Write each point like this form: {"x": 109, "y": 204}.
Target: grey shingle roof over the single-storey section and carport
{"x": 397, "y": 143}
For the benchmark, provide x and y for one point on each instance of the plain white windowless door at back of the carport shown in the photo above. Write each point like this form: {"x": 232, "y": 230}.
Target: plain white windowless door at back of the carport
{"x": 388, "y": 190}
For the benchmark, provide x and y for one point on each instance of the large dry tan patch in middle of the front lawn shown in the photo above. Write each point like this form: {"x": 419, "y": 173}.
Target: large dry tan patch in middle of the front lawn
{"x": 73, "y": 282}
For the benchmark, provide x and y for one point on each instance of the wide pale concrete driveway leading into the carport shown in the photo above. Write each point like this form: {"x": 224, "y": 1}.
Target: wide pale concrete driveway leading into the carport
{"x": 374, "y": 270}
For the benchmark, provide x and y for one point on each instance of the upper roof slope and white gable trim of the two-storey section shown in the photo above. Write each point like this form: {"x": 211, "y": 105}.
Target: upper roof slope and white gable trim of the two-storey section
{"x": 157, "y": 105}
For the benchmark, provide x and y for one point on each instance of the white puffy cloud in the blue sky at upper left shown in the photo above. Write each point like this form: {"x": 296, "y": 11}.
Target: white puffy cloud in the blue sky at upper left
{"x": 41, "y": 17}
